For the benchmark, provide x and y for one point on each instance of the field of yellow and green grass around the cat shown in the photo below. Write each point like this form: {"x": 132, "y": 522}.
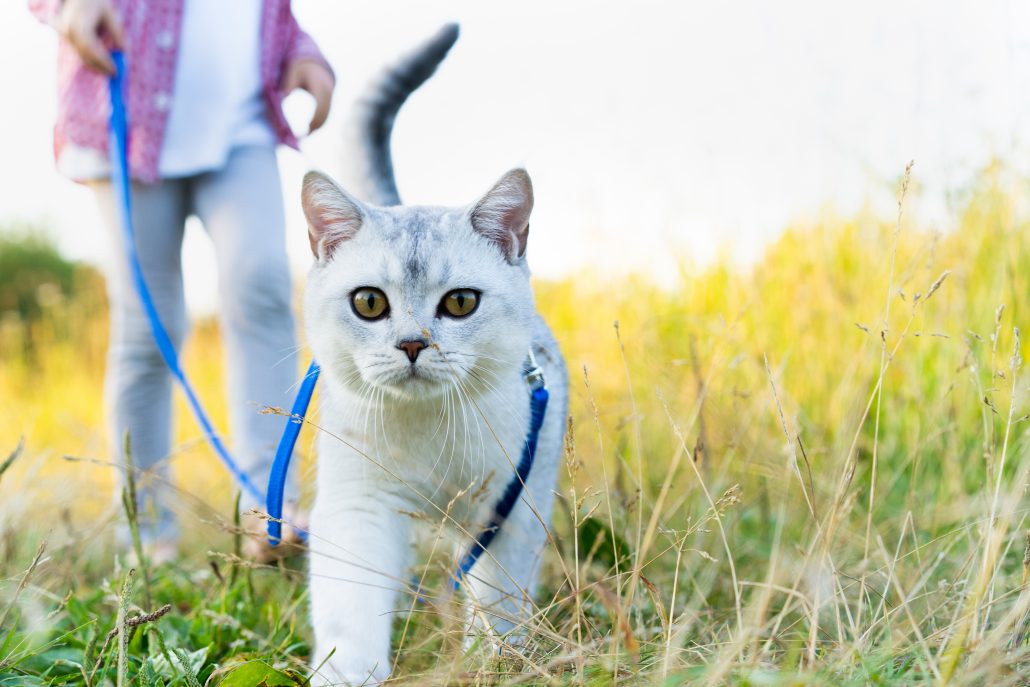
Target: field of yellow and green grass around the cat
{"x": 809, "y": 472}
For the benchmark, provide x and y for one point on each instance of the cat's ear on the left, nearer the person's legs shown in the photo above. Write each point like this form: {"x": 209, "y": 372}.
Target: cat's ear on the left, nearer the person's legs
{"x": 334, "y": 217}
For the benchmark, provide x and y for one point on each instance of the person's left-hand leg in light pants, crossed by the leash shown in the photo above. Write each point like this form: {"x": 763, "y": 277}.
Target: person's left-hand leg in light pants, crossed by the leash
{"x": 139, "y": 386}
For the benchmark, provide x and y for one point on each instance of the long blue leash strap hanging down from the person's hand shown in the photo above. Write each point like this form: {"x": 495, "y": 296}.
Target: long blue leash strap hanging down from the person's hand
{"x": 121, "y": 182}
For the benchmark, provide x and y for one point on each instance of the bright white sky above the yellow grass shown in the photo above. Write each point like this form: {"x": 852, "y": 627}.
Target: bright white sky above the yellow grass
{"x": 655, "y": 131}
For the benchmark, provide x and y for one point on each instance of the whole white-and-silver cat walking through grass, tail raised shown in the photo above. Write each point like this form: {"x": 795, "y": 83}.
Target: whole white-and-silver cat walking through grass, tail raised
{"x": 423, "y": 320}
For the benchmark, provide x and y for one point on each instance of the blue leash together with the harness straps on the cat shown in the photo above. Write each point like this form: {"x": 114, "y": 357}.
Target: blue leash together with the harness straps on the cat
{"x": 278, "y": 479}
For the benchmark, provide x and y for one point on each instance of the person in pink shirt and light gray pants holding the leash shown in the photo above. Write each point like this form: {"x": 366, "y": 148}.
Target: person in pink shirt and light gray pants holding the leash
{"x": 205, "y": 88}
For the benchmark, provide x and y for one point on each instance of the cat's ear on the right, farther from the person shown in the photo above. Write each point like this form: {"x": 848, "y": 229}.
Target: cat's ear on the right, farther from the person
{"x": 503, "y": 215}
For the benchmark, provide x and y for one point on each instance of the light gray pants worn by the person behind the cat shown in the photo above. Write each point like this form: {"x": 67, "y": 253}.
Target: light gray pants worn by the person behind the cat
{"x": 242, "y": 210}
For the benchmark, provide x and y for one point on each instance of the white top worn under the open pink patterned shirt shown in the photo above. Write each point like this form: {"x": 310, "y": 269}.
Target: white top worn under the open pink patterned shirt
{"x": 217, "y": 104}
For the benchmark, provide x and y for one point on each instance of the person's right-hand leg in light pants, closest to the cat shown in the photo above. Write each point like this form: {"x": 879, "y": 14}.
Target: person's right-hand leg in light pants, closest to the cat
{"x": 242, "y": 209}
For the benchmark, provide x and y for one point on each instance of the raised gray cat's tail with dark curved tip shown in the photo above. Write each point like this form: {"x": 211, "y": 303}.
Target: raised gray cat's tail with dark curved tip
{"x": 369, "y": 161}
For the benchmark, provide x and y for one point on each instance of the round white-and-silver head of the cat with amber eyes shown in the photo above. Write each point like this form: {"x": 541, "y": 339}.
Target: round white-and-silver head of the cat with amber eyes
{"x": 414, "y": 301}
